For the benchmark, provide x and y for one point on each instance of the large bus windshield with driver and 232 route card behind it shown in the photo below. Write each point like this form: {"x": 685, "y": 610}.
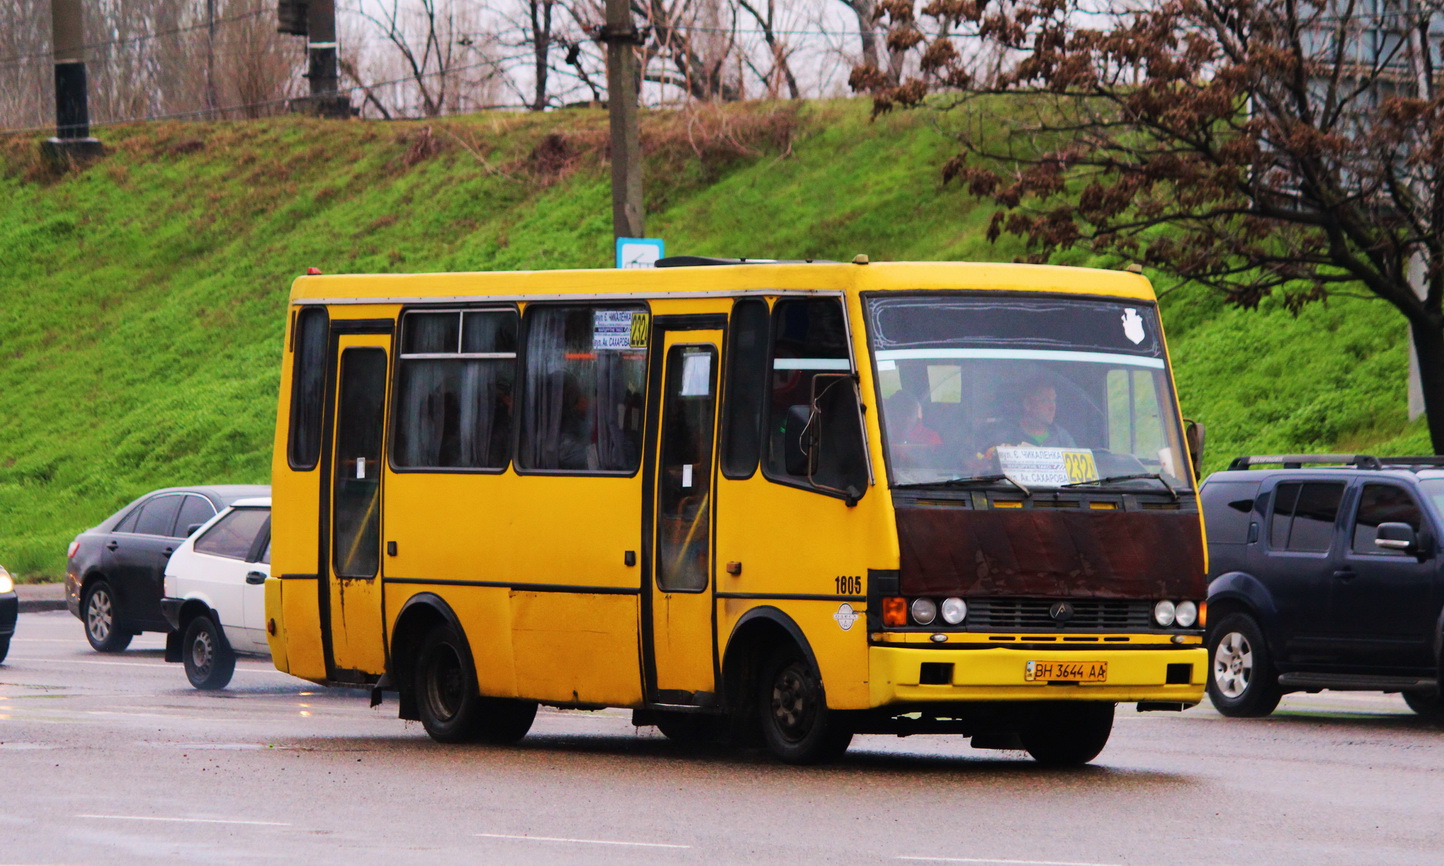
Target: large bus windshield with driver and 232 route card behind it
{"x": 1025, "y": 392}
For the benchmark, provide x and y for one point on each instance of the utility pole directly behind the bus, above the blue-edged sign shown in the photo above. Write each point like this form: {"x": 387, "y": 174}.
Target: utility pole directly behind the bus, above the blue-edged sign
{"x": 622, "y": 37}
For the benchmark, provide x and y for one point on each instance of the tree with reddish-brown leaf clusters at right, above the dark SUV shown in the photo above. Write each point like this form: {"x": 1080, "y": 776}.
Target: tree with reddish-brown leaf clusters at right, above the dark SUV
{"x": 1253, "y": 146}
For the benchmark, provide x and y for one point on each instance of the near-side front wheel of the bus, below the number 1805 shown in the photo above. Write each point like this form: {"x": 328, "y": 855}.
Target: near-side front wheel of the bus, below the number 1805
{"x": 798, "y": 727}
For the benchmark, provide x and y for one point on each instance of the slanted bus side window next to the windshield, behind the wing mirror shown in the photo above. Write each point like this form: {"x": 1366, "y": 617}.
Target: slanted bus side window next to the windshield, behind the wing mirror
{"x": 811, "y": 363}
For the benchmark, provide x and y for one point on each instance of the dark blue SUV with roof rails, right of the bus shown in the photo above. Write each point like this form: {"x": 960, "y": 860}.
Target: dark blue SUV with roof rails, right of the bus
{"x": 1325, "y": 574}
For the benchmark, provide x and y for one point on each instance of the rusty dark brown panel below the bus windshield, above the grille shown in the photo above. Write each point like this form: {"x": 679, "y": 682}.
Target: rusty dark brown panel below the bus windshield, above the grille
{"x": 1051, "y": 554}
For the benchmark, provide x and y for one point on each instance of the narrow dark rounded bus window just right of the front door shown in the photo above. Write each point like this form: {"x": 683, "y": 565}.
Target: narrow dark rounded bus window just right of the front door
{"x": 746, "y": 389}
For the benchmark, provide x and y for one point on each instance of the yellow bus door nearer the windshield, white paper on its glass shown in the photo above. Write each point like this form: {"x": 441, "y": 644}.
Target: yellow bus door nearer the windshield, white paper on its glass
{"x": 681, "y": 590}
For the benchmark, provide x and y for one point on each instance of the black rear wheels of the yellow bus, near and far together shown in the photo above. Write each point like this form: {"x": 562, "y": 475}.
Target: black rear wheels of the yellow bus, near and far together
{"x": 450, "y": 702}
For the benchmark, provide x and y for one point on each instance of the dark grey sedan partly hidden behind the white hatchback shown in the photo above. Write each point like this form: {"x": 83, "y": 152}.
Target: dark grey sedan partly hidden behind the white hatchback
{"x": 115, "y": 575}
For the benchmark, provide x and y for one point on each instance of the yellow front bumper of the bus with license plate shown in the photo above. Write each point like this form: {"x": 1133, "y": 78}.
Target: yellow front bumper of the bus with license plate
{"x": 919, "y": 675}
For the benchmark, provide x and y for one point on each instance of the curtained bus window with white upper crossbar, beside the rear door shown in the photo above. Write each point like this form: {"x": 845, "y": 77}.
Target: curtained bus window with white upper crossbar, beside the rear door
{"x": 454, "y": 390}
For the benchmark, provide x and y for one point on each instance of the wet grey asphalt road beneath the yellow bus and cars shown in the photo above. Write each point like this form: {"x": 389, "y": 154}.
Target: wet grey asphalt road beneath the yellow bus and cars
{"x": 116, "y": 760}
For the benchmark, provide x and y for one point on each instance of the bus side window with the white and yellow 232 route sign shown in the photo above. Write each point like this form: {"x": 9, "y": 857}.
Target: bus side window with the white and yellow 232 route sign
{"x": 583, "y": 389}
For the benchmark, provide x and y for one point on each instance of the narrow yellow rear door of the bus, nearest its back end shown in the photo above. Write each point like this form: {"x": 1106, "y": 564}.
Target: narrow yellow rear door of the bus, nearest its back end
{"x": 353, "y": 594}
